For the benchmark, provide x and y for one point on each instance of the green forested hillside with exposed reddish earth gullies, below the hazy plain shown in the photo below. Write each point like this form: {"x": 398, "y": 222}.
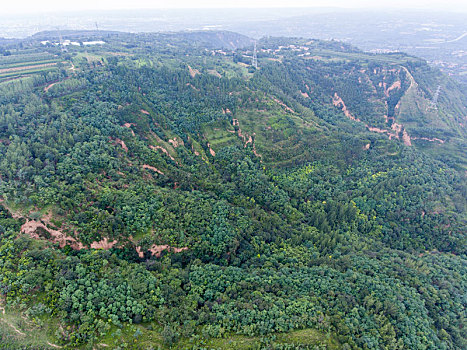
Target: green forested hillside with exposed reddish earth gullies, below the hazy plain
{"x": 160, "y": 192}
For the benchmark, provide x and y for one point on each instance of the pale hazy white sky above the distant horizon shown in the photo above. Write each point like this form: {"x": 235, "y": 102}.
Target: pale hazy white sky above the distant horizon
{"x": 28, "y": 6}
